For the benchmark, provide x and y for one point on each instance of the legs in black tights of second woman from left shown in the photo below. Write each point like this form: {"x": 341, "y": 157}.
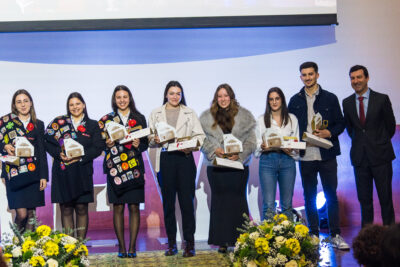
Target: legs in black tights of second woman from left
{"x": 82, "y": 218}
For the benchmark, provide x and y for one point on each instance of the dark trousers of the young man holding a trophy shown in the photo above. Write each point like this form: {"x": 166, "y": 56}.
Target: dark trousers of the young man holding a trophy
{"x": 327, "y": 170}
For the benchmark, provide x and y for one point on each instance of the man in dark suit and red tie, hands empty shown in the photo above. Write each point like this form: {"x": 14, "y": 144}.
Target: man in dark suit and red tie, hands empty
{"x": 371, "y": 125}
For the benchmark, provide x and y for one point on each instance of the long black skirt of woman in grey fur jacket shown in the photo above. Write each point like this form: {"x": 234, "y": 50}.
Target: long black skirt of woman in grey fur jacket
{"x": 228, "y": 204}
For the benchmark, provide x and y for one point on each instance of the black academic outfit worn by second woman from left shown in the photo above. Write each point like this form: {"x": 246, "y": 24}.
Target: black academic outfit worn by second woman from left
{"x": 73, "y": 182}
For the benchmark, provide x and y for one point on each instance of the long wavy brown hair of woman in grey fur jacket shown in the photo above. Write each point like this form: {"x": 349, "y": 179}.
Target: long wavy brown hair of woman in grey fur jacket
{"x": 225, "y": 118}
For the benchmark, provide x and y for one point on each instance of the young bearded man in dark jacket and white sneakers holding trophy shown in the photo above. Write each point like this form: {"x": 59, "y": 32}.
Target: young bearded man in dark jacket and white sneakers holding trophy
{"x": 320, "y": 122}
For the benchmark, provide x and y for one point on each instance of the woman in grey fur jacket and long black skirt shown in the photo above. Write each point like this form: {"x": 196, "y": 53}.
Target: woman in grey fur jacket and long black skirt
{"x": 228, "y": 185}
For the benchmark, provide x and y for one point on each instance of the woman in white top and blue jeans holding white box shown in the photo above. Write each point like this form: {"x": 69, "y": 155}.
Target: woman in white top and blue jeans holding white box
{"x": 277, "y": 165}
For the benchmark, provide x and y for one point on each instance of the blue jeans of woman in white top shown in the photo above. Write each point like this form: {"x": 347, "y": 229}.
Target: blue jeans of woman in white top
{"x": 277, "y": 167}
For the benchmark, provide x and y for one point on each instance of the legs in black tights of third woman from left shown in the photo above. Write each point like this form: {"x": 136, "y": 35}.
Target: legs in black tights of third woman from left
{"x": 134, "y": 223}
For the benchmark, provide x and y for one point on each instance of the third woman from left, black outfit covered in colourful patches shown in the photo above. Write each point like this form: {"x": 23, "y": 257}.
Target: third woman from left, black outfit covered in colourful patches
{"x": 123, "y": 164}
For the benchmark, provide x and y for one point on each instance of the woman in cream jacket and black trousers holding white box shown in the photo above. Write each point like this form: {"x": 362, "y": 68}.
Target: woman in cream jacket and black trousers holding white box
{"x": 176, "y": 170}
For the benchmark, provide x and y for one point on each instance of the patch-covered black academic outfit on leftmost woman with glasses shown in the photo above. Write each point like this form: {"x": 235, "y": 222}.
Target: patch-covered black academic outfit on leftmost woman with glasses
{"x": 23, "y": 181}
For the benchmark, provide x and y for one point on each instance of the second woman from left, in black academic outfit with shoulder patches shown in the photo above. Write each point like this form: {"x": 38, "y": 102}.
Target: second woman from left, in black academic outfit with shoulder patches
{"x": 72, "y": 178}
